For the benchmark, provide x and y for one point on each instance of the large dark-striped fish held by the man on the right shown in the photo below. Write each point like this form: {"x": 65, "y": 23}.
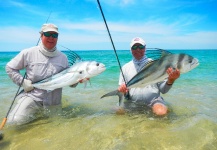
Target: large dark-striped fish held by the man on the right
{"x": 155, "y": 71}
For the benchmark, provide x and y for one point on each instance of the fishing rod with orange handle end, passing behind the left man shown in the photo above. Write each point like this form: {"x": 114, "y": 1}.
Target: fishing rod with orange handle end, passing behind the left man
{"x": 24, "y": 76}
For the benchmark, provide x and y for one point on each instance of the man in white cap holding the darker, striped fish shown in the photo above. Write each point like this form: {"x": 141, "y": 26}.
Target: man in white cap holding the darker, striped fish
{"x": 149, "y": 95}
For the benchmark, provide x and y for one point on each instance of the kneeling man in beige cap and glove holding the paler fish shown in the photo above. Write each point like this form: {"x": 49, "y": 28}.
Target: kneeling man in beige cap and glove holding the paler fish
{"x": 40, "y": 62}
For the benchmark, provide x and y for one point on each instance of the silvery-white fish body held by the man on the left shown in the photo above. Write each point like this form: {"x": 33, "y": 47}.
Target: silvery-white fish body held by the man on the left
{"x": 83, "y": 70}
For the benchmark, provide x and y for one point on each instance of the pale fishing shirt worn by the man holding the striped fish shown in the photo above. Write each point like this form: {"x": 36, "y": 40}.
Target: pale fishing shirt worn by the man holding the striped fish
{"x": 146, "y": 94}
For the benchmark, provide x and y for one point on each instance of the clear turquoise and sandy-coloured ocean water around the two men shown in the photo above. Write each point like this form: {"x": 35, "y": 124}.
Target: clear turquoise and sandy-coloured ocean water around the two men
{"x": 88, "y": 122}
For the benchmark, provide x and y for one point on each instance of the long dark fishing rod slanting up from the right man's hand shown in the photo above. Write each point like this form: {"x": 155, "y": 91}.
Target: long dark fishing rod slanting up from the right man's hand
{"x": 111, "y": 41}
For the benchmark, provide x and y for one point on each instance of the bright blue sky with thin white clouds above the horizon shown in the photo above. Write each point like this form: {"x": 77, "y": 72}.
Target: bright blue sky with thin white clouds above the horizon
{"x": 166, "y": 24}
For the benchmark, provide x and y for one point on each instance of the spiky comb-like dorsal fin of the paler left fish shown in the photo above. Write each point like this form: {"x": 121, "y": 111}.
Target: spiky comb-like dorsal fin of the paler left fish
{"x": 72, "y": 56}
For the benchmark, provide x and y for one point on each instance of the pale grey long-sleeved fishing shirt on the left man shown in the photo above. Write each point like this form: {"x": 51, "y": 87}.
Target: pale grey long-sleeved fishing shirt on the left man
{"x": 38, "y": 67}
